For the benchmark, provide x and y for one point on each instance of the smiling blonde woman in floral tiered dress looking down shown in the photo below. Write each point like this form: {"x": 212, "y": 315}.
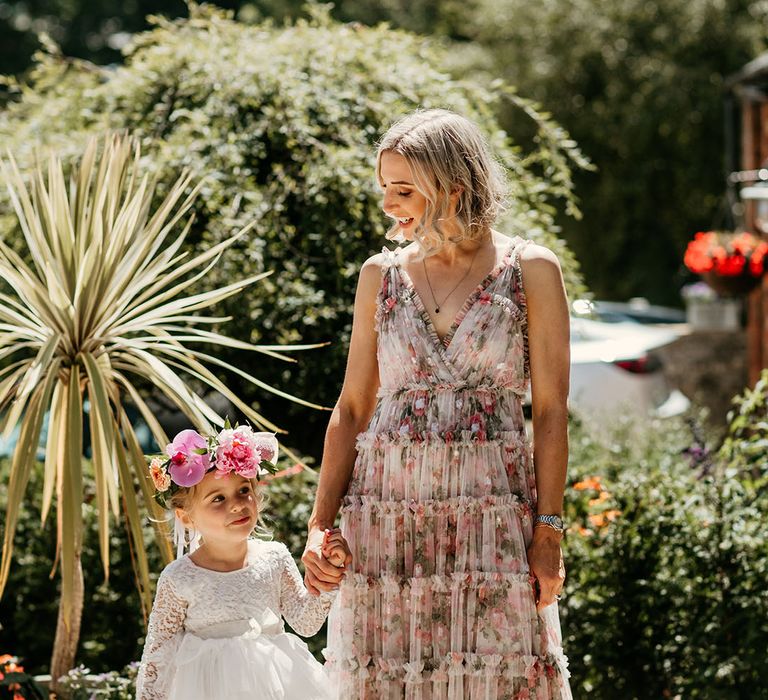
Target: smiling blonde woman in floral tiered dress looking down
{"x": 451, "y": 515}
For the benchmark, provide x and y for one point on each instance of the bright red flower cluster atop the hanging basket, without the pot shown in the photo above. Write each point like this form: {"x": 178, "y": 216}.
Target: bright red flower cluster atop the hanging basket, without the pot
{"x": 727, "y": 254}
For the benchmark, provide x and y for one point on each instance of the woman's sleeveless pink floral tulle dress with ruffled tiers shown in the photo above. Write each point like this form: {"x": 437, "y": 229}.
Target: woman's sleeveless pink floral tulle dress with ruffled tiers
{"x": 438, "y": 514}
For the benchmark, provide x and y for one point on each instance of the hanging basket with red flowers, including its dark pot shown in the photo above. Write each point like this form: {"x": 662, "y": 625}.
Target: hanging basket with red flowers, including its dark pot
{"x": 731, "y": 263}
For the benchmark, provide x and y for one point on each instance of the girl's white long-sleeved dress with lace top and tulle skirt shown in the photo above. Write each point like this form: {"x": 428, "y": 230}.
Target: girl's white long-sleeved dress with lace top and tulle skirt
{"x": 214, "y": 635}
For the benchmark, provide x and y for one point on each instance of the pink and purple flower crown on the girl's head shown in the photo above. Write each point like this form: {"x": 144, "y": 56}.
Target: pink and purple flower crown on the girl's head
{"x": 191, "y": 456}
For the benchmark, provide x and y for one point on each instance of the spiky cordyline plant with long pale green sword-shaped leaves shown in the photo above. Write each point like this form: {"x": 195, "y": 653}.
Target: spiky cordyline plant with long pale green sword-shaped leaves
{"x": 99, "y": 304}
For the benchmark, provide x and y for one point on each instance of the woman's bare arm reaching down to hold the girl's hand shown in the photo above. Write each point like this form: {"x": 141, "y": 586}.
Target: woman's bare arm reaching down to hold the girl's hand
{"x": 350, "y": 416}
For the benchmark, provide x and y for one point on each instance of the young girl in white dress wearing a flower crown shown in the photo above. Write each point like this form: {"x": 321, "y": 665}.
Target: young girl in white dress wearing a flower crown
{"x": 216, "y": 627}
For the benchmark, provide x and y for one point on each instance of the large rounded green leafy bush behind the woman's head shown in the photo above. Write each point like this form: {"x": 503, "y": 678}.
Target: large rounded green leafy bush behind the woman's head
{"x": 282, "y": 123}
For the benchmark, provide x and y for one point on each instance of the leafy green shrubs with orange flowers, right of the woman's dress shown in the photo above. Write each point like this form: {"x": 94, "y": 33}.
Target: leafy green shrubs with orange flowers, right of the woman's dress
{"x": 667, "y": 561}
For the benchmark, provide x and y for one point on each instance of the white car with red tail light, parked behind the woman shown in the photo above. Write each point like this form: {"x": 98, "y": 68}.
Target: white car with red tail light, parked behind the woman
{"x": 614, "y": 370}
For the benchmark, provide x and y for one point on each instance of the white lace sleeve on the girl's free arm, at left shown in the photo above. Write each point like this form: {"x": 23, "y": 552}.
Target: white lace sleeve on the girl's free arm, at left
{"x": 166, "y": 626}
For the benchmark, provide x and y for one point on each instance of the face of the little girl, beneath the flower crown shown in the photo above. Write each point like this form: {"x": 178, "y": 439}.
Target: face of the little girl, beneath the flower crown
{"x": 222, "y": 510}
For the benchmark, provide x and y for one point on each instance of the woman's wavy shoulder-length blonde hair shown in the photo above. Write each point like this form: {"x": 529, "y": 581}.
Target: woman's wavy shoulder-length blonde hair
{"x": 447, "y": 154}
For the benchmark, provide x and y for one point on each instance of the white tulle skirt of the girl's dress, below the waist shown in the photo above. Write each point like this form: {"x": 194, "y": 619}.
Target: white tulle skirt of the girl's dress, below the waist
{"x": 248, "y": 667}
